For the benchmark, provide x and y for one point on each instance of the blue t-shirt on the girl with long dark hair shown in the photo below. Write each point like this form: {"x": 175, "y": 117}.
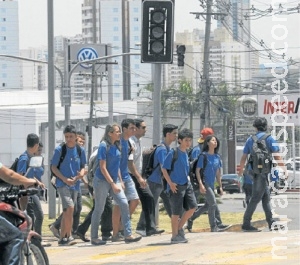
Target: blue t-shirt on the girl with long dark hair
{"x": 213, "y": 164}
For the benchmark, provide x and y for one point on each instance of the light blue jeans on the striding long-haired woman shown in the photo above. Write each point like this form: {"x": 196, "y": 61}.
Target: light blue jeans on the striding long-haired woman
{"x": 101, "y": 189}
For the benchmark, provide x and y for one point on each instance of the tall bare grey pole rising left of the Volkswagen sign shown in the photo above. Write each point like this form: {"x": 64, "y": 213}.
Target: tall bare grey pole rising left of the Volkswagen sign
{"x": 51, "y": 107}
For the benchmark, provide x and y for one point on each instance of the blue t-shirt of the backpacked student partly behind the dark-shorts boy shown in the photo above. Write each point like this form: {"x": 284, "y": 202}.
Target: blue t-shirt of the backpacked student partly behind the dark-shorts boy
{"x": 159, "y": 158}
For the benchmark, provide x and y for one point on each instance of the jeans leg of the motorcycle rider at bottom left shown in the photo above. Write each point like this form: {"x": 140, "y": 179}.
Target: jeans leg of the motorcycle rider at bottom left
{"x": 11, "y": 242}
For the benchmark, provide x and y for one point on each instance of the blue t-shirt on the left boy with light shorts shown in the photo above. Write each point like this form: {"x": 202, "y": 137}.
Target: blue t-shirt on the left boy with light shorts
{"x": 71, "y": 164}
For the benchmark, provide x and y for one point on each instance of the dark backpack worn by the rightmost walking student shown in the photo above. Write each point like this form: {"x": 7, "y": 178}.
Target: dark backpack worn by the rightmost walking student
{"x": 260, "y": 157}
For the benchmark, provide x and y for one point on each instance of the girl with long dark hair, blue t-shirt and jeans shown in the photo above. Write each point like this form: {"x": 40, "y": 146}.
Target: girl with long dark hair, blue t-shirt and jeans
{"x": 211, "y": 173}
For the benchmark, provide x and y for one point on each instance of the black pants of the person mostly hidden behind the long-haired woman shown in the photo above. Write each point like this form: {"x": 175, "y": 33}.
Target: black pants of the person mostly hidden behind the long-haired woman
{"x": 106, "y": 219}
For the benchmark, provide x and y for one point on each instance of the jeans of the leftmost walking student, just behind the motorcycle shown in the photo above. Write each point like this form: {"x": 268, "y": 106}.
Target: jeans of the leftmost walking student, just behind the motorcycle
{"x": 35, "y": 211}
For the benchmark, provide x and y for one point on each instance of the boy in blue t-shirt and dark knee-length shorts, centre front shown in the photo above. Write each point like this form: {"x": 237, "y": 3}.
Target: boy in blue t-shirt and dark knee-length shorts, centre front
{"x": 179, "y": 187}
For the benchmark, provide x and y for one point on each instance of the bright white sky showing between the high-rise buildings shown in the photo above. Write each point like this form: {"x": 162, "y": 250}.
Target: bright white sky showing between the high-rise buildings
{"x": 67, "y": 22}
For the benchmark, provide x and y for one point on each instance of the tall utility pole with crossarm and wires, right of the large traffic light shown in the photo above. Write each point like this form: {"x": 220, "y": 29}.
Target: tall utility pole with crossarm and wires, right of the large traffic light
{"x": 205, "y": 80}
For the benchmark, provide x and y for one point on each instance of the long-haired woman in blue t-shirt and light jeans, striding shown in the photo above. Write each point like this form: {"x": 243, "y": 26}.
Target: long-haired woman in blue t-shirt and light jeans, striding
{"x": 108, "y": 180}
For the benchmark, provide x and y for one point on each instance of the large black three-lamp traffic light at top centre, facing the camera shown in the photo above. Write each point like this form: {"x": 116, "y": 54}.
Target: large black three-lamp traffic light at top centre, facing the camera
{"x": 157, "y": 31}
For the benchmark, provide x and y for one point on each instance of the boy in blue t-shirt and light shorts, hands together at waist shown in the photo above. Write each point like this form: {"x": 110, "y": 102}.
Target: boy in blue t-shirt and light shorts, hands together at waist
{"x": 70, "y": 171}
